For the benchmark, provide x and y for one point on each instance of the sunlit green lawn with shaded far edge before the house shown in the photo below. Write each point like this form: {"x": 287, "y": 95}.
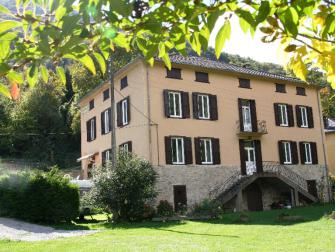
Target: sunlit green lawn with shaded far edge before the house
{"x": 263, "y": 233}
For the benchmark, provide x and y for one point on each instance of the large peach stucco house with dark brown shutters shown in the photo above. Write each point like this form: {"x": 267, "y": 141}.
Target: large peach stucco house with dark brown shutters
{"x": 213, "y": 130}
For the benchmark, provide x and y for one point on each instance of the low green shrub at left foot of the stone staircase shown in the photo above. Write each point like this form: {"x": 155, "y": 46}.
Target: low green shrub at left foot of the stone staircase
{"x": 207, "y": 207}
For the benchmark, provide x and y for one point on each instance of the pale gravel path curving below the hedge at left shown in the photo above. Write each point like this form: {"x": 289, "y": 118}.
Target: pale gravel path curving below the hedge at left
{"x": 19, "y": 230}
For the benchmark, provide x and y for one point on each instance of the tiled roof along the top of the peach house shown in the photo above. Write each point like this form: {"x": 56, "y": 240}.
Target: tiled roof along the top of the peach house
{"x": 217, "y": 65}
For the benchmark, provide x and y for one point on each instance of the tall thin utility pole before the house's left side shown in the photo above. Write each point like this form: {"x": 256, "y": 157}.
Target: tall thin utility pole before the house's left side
{"x": 112, "y": 117}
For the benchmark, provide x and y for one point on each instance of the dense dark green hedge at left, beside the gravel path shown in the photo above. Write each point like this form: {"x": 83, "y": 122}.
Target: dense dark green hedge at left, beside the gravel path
{"x": 38, "y": 197}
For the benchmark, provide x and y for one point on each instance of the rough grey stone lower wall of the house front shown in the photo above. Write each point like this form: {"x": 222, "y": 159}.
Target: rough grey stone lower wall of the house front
{"x": 200, "y": 180}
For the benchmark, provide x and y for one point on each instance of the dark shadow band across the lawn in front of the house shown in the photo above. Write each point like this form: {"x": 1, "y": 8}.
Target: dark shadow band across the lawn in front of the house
{"x": 307, "y": 214}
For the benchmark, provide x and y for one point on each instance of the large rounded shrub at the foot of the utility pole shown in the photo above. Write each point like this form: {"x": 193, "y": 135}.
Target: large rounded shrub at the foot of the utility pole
{"x": 126, "y": 189}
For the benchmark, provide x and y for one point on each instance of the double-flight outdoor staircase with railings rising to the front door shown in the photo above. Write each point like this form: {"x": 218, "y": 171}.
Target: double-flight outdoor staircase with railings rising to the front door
{"x": 237, "y": 182}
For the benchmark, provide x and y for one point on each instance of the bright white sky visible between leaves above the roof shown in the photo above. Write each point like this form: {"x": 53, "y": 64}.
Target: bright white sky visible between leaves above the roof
{"x": 246, "y": 46}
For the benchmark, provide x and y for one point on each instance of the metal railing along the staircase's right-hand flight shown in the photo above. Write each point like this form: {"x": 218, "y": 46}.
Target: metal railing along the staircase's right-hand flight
{"x": 272, "y": 166}
